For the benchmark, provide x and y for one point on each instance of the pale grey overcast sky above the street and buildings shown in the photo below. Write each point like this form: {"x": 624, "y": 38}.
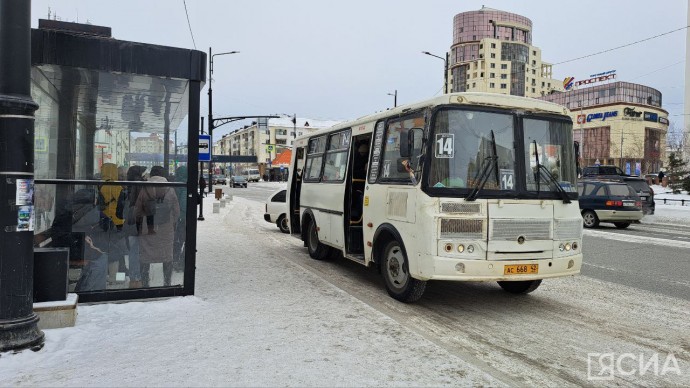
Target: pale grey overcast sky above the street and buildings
{"x": 338, "y": 60}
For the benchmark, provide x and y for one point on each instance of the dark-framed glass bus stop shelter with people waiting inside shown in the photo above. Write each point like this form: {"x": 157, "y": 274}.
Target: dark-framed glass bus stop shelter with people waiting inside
{"x": 116, "y": 131}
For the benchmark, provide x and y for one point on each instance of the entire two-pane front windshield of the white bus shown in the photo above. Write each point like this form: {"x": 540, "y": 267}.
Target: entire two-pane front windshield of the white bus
{"x": 469, "y": 144}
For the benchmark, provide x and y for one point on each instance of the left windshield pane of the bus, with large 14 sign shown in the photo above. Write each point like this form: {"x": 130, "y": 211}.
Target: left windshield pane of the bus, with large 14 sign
{"x": 463, "y": 147}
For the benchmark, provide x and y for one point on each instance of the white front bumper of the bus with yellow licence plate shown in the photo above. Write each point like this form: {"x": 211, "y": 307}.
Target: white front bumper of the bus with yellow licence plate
{"x": 493, "y": 270}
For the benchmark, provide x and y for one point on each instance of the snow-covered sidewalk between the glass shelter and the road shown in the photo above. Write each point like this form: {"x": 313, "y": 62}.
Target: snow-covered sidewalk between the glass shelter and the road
{"x": 256, "y": 320}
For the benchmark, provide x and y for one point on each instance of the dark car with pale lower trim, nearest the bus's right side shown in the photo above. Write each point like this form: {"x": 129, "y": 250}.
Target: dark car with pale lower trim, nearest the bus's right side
{"x": 608, "y": 201}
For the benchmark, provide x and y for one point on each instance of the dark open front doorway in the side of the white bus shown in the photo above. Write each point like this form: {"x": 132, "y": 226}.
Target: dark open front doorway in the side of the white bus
{"x": 354, "y": 194}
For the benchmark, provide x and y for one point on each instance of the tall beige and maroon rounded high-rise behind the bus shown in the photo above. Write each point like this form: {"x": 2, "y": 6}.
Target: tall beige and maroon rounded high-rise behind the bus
{"x": 492, "y": 52}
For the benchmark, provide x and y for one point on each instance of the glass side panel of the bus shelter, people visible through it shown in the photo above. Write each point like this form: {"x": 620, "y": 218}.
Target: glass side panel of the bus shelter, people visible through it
{"x": 105, "y": 186}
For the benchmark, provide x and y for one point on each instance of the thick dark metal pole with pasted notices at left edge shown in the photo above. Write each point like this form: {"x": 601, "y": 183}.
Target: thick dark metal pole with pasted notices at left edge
{"x": 18, "y": 322}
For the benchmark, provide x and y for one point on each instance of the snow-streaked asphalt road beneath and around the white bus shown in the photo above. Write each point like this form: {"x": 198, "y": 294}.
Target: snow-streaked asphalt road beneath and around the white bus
{"x": 548, "y": 338}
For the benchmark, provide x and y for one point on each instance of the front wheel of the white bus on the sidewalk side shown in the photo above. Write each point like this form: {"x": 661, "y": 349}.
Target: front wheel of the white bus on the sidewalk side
{"x": 396, "y": 274}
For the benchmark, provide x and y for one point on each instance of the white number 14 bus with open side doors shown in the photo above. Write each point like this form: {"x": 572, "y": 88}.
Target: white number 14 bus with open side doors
{"x": 462, "y": 187}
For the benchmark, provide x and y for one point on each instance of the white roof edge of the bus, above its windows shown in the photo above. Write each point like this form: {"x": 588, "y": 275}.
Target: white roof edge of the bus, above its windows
{"x": 468, "y": 98}
